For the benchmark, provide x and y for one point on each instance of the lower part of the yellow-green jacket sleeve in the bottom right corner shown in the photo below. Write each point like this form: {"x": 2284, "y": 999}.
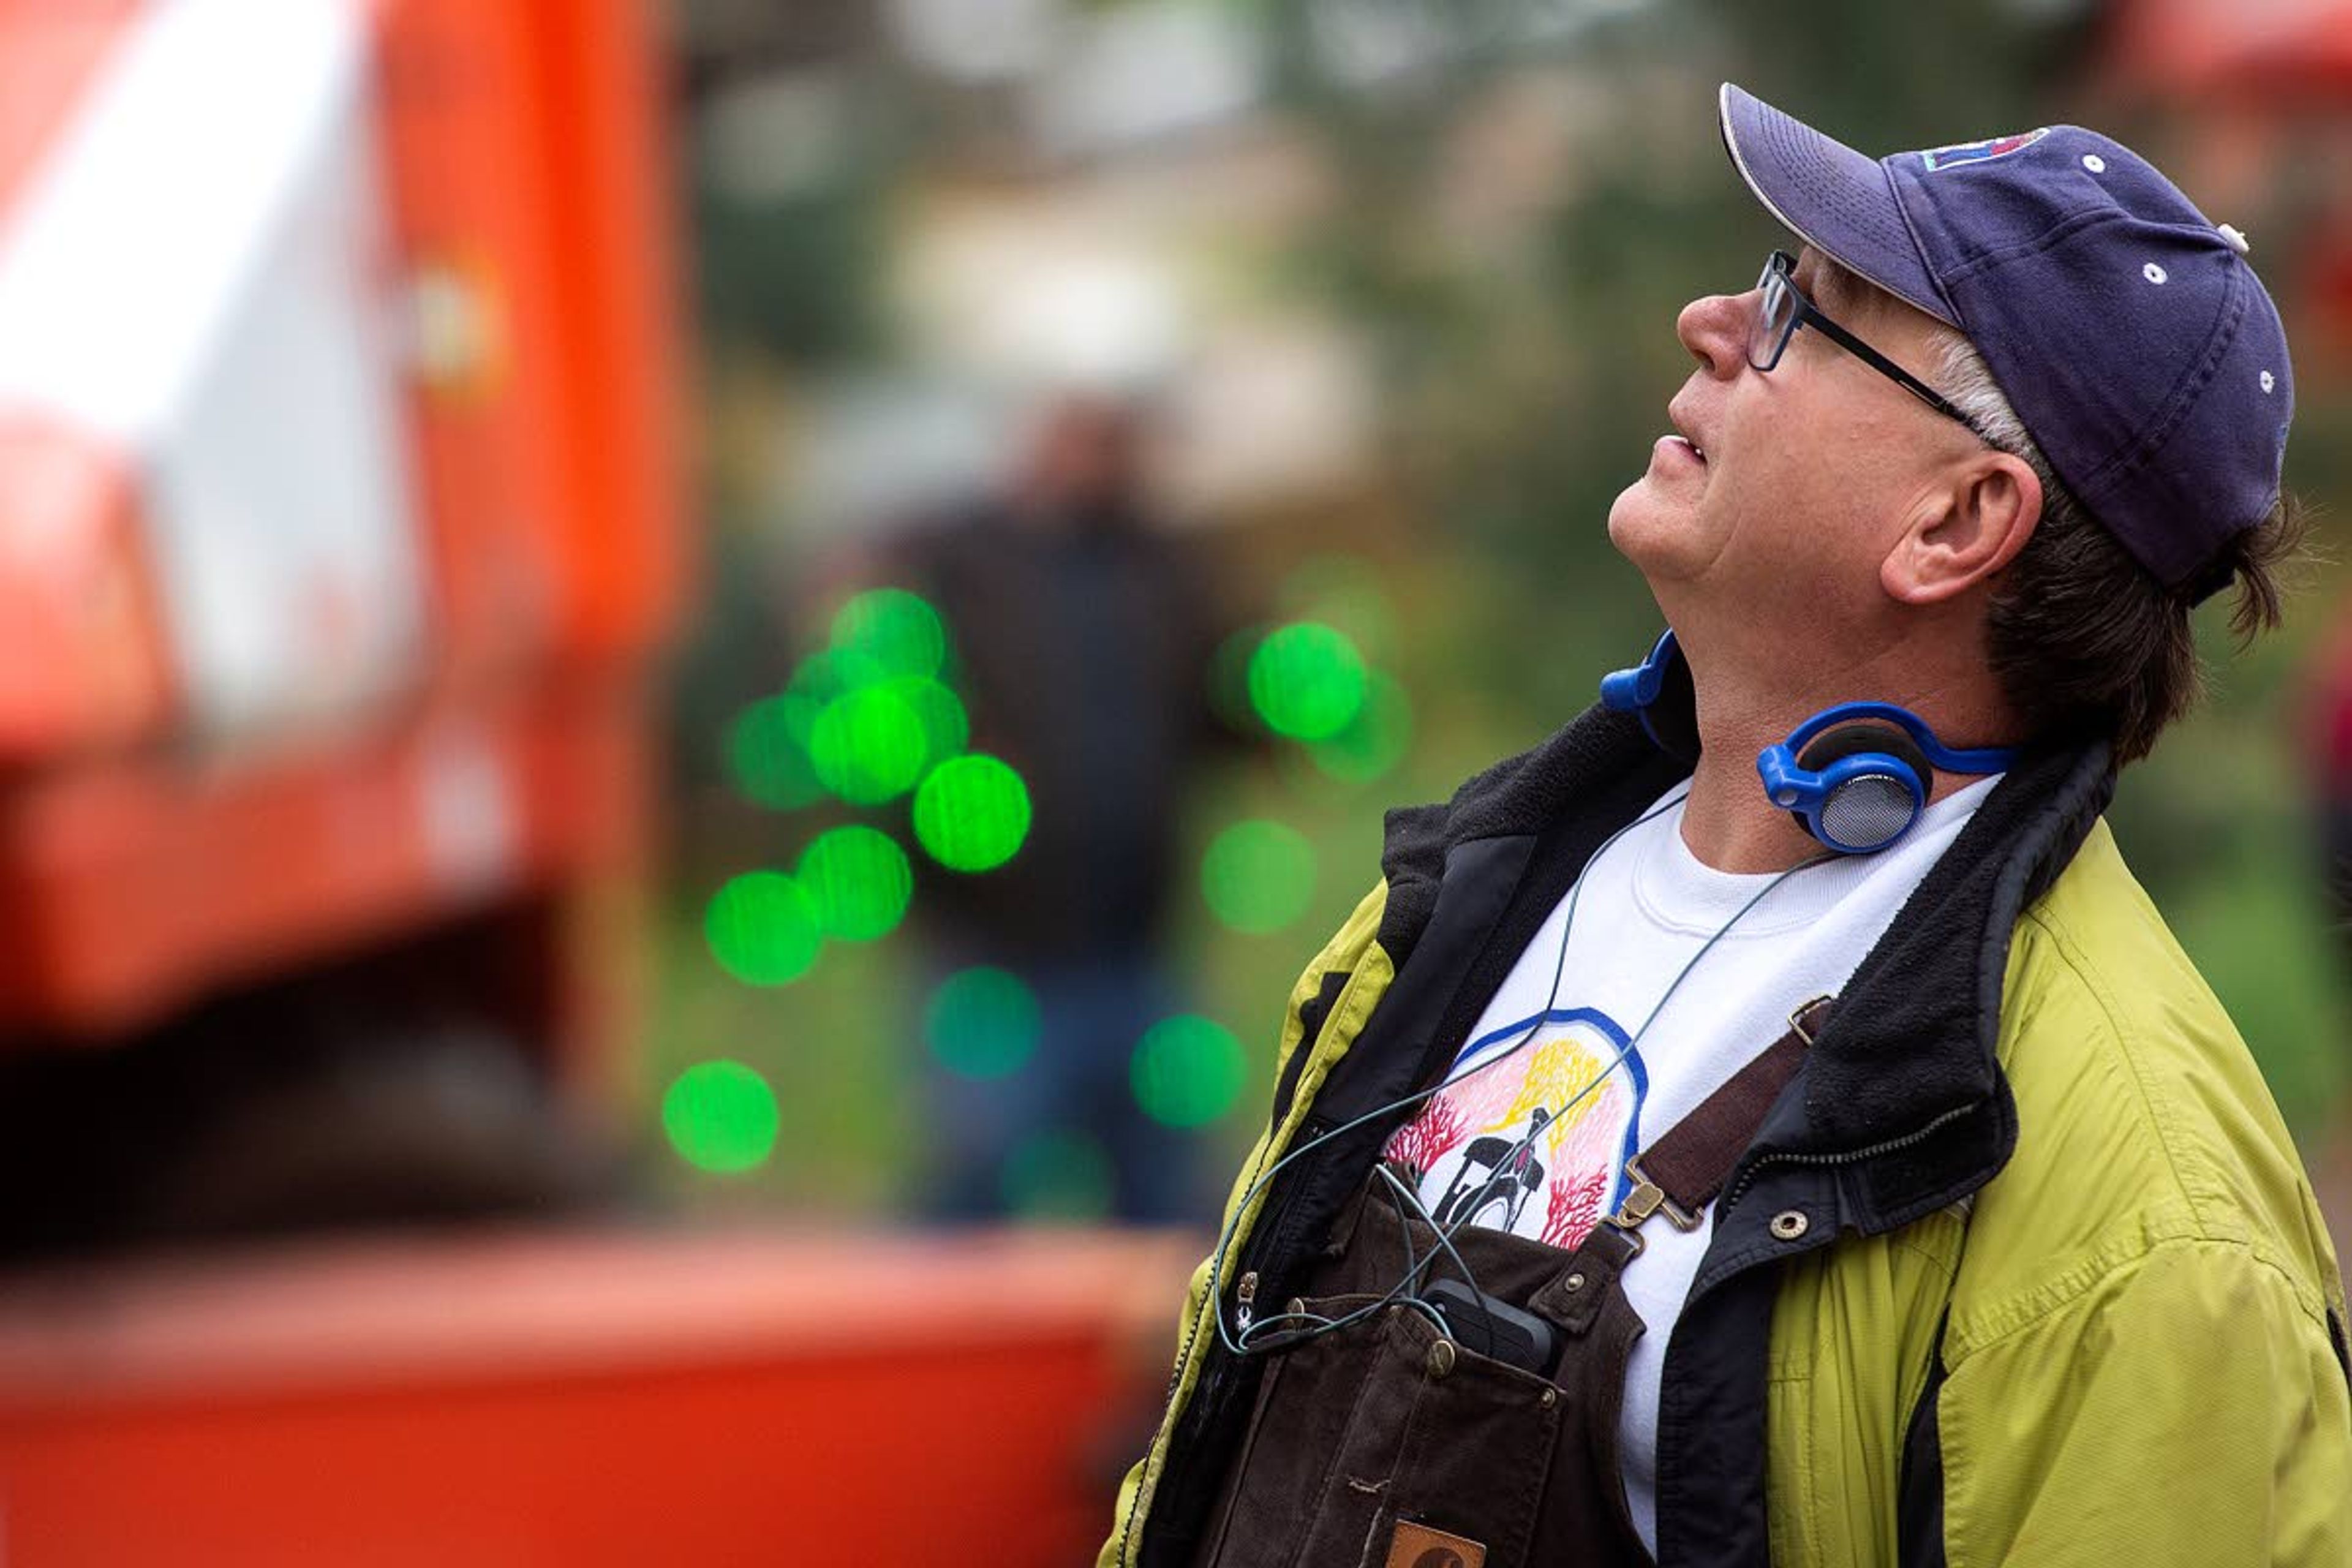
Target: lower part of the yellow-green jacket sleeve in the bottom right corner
{"x": 2186, "y": 1407}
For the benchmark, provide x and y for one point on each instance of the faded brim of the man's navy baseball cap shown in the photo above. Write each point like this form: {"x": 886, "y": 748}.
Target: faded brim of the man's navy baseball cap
{"x": 1829, "y": 196}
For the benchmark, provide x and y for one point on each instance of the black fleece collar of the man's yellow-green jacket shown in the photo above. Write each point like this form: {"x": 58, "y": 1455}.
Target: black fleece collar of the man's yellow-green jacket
{"x": 1916, "y": 1031}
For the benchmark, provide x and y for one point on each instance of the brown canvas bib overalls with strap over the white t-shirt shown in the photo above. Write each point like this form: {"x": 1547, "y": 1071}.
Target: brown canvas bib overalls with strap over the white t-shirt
{"x": 1394, "y": 1442}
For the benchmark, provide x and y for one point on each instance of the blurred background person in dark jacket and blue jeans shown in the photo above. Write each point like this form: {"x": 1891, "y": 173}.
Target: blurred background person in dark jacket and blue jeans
{"x": 1083, "y": 636}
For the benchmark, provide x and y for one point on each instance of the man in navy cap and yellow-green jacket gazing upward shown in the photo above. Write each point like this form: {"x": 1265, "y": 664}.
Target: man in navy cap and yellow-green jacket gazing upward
{"x": 2000, "y": 1254}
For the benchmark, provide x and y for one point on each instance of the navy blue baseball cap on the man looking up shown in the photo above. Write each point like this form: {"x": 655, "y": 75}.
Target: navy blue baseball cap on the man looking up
{"x": 2127, "y": 330}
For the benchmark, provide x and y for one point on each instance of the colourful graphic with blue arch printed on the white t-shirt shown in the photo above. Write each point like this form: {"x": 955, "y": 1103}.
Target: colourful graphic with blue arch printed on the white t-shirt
{"x": 1530, "y": 1139}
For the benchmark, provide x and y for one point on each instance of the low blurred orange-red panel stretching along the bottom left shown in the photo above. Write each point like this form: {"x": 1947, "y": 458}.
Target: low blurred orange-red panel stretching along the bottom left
{"x": 587, "y": 1400}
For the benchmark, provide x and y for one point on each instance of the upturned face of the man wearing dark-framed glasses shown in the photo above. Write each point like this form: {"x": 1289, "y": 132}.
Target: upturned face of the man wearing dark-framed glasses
{"x": 1784, "y": 490}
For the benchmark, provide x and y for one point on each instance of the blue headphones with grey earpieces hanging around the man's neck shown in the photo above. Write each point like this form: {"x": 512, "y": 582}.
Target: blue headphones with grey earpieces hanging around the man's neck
{"x": 1857, "y": 775}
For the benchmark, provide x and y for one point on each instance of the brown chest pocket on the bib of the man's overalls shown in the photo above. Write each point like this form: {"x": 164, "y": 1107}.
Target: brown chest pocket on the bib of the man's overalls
{"x": 1379, "y": 1423}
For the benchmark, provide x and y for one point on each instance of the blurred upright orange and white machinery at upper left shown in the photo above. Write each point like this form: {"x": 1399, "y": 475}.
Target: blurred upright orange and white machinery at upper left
{"x": 340, "y": 504}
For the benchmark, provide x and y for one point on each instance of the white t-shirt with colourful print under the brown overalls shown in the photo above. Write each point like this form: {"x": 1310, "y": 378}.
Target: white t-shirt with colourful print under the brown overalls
{"x": 1648, "y": 909}
